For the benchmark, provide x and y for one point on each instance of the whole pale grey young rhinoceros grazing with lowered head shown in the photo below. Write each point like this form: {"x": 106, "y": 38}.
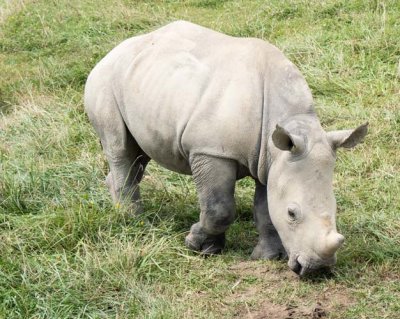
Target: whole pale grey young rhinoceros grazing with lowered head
{"x": 222, "y": 108}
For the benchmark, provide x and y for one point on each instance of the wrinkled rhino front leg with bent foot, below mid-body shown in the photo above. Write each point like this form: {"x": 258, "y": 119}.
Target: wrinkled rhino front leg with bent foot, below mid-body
{"x": 215, "y": 182}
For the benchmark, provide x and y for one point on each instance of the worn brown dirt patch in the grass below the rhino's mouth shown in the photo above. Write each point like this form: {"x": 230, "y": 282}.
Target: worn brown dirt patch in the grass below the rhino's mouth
{"x": 271, "y": 292}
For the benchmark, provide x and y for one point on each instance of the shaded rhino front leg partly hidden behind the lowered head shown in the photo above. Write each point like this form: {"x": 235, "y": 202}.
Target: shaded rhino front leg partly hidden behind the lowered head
{"x": 269, "y": 244}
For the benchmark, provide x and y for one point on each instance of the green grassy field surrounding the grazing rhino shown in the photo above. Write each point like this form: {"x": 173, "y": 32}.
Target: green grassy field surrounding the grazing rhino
{"x": 67, "y": 252}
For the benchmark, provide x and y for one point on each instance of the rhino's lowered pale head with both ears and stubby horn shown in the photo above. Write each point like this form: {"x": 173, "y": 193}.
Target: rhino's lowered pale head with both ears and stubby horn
{"x": 301, "y": 201}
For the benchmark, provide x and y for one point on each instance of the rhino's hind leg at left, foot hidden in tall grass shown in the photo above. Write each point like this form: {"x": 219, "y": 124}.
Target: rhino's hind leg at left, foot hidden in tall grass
{"x": 126, "y": 159}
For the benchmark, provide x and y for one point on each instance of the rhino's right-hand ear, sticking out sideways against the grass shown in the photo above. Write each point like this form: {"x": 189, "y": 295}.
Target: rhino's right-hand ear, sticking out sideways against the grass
{"x": 347, "y": 138}
